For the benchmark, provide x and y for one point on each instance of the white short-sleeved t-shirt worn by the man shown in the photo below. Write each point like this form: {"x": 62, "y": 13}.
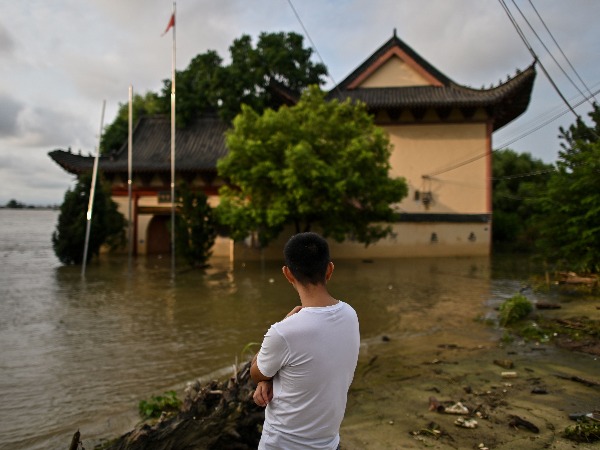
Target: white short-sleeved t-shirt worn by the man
{"x": 311, "y": 356}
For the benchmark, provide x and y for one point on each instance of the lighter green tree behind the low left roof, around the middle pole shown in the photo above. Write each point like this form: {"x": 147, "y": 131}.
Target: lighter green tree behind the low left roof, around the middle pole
{"x": 115, "y": 134}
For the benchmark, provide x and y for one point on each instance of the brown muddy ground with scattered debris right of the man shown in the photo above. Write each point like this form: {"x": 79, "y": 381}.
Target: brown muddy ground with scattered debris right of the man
{"x": 389, "y": 402}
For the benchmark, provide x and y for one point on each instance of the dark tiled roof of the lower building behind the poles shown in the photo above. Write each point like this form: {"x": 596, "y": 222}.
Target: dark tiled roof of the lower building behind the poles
{"x": 198, "y": 148}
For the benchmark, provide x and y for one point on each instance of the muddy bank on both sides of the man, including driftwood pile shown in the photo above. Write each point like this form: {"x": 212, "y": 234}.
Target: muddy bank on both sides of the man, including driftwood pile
{"x": 476, "y": 388}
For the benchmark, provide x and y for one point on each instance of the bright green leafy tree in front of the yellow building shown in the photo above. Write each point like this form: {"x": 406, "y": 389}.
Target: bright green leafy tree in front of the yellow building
{"x": 317, "y": 163}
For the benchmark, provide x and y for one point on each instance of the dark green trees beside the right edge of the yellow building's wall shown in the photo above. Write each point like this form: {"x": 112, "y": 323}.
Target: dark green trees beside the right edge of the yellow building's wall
{"x": 517, "y": 178}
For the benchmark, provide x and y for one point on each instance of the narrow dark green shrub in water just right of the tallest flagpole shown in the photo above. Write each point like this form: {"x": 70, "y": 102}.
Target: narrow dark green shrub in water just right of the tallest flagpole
{"x": 195, "y": 227}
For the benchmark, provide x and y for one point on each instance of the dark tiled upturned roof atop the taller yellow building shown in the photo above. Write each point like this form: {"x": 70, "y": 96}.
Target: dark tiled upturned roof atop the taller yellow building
{"x": 503, "y": 103}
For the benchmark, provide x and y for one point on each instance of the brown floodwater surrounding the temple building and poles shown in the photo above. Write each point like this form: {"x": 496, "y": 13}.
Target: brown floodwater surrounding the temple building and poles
{"x": 80, "y": 353}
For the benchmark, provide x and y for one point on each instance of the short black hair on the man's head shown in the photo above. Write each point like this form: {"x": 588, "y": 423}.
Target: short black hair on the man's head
{"x": 307, "y": 257}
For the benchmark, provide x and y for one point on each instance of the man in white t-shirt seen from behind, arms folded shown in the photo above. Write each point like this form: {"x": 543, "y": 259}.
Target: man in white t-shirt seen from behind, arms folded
{"x": 306, "y": 362}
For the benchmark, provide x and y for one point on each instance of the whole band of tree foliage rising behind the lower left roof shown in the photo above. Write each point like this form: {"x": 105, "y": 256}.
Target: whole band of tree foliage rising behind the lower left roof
{"x": 207, "y": 85}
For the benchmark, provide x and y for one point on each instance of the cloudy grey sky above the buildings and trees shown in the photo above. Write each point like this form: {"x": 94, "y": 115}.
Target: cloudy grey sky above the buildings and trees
{"x": 60, "y": 59}
